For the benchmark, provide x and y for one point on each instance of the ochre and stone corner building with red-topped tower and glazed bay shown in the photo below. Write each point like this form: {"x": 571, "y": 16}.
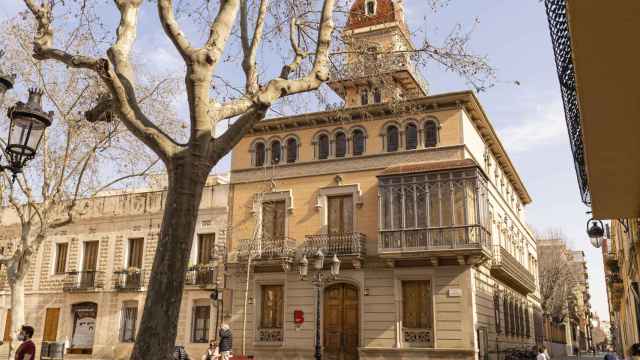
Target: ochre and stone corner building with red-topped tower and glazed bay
{"x": 414, "y": 195}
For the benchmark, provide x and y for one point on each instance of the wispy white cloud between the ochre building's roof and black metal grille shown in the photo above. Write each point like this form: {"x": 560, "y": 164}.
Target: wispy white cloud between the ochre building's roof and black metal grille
{"x": 545, "y": 126}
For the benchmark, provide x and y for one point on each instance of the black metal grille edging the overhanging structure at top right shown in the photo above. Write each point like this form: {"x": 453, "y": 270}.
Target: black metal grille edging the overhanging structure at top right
{"x": 561, "y": 41}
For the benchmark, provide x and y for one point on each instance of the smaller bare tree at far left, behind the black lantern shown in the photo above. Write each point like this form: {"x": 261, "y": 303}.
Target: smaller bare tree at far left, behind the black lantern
{"x": 71, "y": 168}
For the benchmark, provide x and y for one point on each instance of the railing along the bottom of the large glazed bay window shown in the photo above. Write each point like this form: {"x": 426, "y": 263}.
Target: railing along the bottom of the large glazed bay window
{"x": 440, "y": 238}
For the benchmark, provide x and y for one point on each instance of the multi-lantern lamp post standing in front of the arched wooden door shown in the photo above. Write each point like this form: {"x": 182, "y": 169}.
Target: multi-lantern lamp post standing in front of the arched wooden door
{"x": 319, "y": 278}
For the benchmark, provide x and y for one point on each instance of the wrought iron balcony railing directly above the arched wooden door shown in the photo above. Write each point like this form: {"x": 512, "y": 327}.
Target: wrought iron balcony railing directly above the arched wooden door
{"x": 342, "y": 244}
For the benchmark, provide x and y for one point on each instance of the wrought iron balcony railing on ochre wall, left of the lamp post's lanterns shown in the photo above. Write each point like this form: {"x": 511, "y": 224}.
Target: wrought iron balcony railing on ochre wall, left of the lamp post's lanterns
{"x": 267, "y": 248}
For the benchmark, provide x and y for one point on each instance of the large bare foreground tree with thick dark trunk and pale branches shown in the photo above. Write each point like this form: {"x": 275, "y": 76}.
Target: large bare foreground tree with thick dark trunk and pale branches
{"x": 308, "y": 27}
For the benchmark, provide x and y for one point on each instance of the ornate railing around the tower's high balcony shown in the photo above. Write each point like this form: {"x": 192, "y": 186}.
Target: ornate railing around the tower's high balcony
{"x": 377, "y": 64}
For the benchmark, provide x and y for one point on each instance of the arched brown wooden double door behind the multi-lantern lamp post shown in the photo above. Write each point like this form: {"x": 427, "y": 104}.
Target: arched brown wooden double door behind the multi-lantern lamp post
{"x": 341, "y": 322}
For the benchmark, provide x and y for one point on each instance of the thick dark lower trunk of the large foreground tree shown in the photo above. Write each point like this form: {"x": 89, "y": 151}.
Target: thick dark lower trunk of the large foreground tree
{"x": 158, "y": 328}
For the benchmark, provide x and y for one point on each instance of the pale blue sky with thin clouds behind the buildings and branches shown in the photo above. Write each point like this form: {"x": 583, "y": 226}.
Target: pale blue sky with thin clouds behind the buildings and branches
{"x": 529, "y": 118}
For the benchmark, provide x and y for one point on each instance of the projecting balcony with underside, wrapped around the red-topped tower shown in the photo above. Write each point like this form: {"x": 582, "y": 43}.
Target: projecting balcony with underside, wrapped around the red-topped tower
{"x": 400, "y": 66}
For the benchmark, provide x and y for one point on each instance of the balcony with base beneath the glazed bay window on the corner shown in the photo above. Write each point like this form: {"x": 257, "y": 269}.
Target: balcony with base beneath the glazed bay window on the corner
{"x": 467, "y": 244}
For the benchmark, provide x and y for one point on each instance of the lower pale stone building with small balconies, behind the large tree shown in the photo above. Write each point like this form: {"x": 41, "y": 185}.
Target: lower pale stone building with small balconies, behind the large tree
{"x": 86, "y": 287}
